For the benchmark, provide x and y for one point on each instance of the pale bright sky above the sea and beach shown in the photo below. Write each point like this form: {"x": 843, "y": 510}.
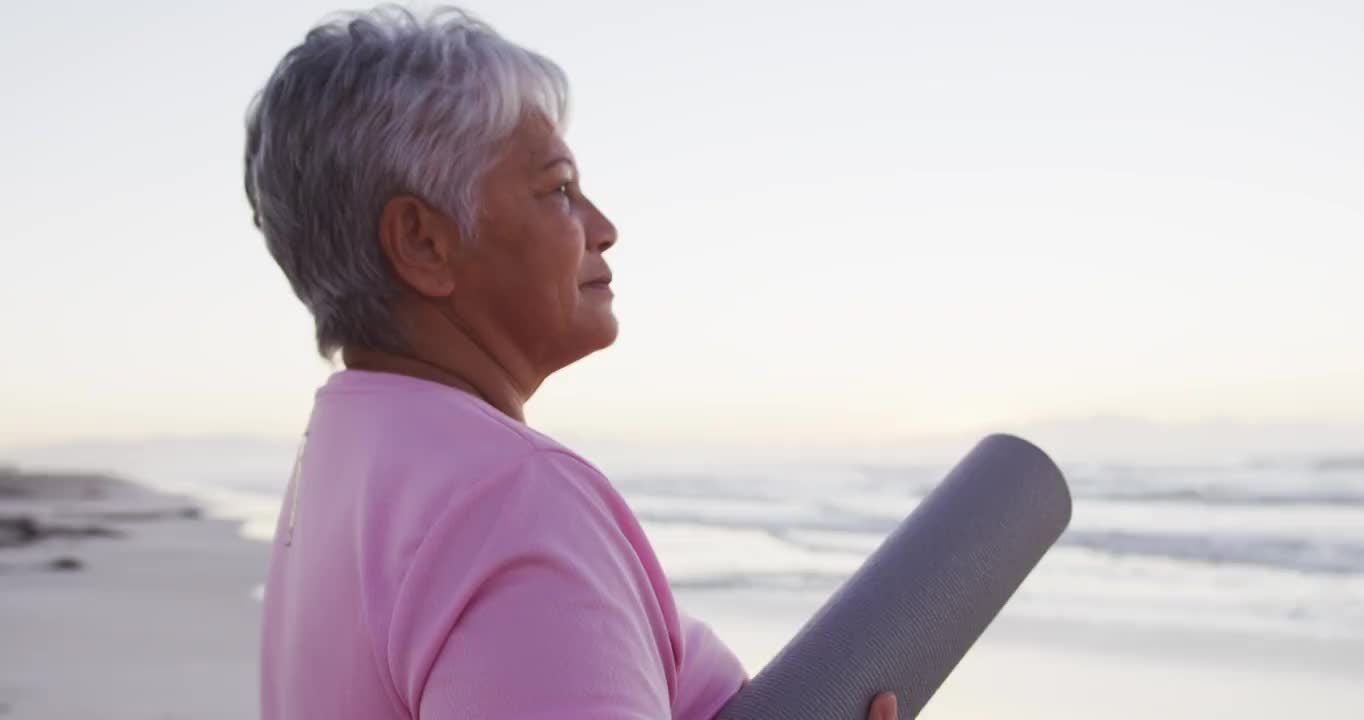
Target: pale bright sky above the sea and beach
{"x": 840, "y": 223}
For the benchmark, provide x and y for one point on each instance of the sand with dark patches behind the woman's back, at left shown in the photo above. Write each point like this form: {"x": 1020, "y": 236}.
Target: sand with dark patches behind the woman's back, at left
{"x": 158, "y": 622}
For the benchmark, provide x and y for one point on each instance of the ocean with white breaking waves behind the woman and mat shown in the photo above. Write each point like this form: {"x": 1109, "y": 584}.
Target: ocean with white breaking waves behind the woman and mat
{"x": 1261, "y": 547}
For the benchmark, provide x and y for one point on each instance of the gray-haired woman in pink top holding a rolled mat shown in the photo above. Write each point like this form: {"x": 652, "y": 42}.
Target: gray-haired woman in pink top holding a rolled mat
{"x": 436, "y": 557}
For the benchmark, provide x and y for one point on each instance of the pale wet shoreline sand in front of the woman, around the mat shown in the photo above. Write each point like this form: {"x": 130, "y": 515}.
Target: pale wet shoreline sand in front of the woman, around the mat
{"x": 1055, "y": 670}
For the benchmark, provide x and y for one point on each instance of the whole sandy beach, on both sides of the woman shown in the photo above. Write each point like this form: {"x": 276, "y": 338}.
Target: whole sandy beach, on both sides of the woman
{"x": 159, "y": 621}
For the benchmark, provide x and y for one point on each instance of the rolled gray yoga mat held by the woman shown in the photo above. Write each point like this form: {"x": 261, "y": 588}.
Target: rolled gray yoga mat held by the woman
{"x": 908, "y": 617}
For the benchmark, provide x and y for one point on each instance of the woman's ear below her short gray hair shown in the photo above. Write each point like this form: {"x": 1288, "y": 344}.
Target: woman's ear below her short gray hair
{"x": 421, "y": 245}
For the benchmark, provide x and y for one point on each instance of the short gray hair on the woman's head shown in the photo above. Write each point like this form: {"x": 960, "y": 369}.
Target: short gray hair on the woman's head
{"x": 369, "y": 107}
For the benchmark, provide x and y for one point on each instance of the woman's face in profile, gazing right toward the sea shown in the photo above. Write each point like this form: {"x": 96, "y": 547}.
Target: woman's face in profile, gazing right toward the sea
{"x": 535, "y": 277}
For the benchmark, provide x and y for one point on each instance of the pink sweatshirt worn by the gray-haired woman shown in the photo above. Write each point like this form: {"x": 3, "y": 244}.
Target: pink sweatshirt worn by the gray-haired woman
{"x": 437, "y": 560}
